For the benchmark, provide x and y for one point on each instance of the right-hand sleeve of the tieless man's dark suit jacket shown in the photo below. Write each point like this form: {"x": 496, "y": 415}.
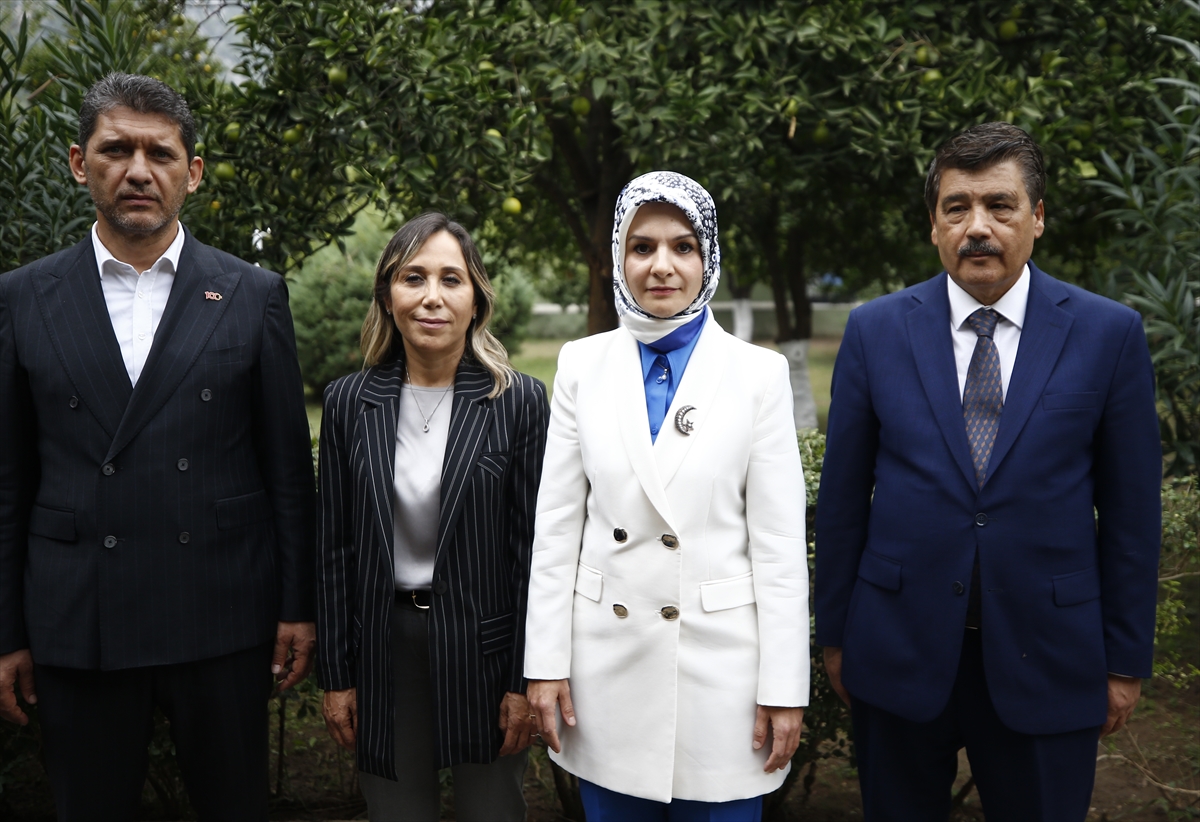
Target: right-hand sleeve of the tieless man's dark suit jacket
{"x": 285, "y": 455}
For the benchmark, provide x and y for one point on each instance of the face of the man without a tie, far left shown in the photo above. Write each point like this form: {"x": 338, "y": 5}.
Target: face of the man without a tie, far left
{"x": 137, "y": 171}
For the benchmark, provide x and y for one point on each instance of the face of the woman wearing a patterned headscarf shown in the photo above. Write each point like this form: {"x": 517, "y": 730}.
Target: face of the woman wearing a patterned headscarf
{"x": 663, "y": 265}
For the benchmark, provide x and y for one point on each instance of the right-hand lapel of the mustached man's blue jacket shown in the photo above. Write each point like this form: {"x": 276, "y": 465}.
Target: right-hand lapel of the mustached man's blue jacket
{"x": 1043, "y": 335}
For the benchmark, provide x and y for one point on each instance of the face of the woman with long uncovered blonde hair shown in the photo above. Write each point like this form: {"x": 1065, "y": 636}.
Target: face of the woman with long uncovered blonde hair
{"x": 433, "y": 299}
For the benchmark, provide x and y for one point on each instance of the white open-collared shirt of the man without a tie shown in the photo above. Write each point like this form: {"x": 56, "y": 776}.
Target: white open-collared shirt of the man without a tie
{"x": 136, "y": 301}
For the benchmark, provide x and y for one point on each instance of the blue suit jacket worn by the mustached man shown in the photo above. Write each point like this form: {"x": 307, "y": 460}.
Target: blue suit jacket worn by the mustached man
{"x": 1067, "y": 526}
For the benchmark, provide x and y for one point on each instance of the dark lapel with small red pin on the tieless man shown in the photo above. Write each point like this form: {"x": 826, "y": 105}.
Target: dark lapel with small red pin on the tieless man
{"x": 183, "y": 333}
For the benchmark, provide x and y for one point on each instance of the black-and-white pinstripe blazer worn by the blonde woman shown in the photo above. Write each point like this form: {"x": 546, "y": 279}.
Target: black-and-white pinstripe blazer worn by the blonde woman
{"x": 482, "y": 568}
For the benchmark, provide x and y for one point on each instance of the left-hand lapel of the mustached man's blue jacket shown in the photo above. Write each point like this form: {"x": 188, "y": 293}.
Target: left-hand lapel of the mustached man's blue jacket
{"x": 933, "y": 350}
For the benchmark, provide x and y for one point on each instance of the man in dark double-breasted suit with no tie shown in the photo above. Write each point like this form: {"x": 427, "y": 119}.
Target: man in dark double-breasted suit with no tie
{"x": 157, "y": 490}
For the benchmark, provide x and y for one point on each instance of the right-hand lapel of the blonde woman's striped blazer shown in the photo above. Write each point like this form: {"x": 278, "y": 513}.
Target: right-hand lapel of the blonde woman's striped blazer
{"x": 470, "y": 423}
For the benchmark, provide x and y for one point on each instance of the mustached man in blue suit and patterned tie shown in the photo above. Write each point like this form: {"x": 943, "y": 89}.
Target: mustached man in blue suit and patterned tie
{"x": 988, "y": 527}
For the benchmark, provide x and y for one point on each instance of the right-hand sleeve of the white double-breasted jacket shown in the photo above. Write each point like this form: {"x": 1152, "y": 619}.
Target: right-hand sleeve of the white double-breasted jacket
{"x": 778, "y": 550}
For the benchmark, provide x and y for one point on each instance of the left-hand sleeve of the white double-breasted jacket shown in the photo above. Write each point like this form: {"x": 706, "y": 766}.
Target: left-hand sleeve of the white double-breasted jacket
{"x": 559, "y": 535}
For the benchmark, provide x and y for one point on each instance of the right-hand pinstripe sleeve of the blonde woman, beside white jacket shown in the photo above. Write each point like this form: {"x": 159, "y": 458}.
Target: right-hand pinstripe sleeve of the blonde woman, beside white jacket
{"x": 529, "y": 452}
